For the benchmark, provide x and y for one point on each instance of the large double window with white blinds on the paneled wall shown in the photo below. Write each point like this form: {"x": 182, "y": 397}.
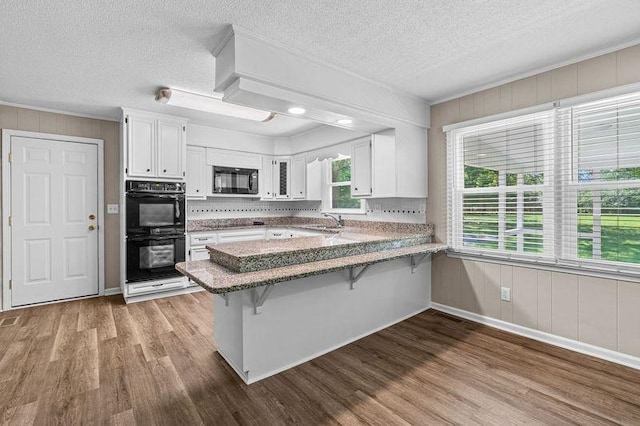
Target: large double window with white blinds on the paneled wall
{"x": 562, "y": 184}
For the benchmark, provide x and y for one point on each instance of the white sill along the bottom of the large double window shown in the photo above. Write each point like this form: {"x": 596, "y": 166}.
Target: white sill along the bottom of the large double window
{"x": 603, "y": 271}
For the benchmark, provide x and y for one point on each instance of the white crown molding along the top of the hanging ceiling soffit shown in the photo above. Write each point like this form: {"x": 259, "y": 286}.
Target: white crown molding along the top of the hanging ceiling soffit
{"x": 235, "y": 29}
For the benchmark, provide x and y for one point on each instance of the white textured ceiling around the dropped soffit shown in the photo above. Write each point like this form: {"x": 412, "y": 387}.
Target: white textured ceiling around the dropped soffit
{"x": 91, "y": 57}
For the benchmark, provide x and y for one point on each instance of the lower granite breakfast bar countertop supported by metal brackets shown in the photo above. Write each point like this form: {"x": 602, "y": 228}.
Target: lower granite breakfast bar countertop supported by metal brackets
{"x": 219, "y": 280}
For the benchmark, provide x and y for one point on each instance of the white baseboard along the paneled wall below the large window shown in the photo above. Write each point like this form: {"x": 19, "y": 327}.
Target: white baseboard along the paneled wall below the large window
{"x": 541, "y": 336}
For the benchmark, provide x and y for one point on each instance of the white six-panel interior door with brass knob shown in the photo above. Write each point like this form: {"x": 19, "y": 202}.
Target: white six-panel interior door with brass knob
{"x": 54, "y": 210}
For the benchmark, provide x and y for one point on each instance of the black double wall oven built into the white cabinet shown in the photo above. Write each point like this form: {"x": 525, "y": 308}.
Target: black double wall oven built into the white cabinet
{"x": 155, "y": 229}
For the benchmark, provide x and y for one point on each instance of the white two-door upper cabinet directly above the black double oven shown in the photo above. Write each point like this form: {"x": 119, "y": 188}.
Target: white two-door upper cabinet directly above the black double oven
{"x": 155, "y": 145}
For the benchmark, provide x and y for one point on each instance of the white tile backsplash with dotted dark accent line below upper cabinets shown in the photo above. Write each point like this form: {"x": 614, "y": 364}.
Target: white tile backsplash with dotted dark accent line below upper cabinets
{"x": 407, "y": 210}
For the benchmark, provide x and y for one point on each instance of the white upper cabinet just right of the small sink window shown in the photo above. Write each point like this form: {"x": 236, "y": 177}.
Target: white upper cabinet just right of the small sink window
{"x": 373, "y": 166}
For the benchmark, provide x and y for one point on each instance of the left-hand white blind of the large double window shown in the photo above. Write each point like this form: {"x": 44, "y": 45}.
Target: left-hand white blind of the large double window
{"x": 501, "y": 178}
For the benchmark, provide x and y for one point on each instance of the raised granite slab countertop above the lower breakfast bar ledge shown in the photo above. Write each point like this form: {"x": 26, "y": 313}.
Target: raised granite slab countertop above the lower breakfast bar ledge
{"x": 249, "y": 256}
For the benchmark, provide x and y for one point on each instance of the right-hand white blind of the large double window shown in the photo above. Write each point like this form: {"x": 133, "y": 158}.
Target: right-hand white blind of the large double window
{"x": 600, "y": 198}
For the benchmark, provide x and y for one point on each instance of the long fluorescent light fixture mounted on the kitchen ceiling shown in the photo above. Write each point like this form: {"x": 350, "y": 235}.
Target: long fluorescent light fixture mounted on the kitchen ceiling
{"x": 213, "y": 104}
